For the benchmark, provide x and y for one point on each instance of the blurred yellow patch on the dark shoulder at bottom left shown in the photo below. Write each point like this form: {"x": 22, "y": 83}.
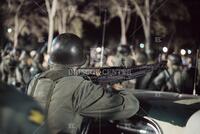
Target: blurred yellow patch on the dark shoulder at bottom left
{"x": 36, "y": 117}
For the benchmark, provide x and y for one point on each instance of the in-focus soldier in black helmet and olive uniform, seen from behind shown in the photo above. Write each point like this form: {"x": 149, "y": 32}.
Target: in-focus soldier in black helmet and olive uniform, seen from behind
{"x": 67, "y": 98}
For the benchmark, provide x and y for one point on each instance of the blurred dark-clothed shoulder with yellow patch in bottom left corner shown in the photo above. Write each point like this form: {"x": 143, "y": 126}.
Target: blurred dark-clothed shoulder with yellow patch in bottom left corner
{"x": 19, "y": 114}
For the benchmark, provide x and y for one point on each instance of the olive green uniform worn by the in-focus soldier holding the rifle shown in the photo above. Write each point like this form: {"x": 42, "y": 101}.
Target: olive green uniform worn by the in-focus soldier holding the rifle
{"x": 71, "y": 98}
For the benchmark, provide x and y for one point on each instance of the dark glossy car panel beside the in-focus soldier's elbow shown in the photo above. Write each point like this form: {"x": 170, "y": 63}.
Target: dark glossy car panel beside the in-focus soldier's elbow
{"x": 168, "y": 107}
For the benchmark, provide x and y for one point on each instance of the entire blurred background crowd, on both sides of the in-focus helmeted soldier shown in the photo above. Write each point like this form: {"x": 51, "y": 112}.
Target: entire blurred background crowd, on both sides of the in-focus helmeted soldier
{"x": 19, "y": 66}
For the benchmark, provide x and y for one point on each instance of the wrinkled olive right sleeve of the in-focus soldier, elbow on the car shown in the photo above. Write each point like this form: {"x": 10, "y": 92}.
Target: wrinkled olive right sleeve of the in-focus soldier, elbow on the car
{"x": 94, "y": 101}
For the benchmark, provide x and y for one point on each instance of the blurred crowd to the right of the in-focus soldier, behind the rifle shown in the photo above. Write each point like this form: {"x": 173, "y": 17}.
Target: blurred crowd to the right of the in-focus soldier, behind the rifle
{"x": 179, "y": 76}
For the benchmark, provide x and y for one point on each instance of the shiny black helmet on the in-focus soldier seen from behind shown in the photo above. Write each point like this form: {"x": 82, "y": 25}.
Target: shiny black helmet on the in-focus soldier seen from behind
{"x": 67, "y": 49}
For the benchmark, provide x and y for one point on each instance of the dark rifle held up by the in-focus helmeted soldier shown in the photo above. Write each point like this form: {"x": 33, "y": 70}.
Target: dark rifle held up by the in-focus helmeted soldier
{"x": 112, "y": 75}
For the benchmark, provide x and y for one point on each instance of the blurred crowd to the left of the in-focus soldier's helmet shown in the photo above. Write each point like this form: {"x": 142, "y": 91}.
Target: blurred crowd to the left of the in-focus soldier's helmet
{"x": 18, "y": 66}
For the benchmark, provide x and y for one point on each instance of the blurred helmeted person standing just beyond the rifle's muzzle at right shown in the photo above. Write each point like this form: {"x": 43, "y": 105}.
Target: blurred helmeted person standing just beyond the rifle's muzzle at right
{"x": 171, "y": 79}
